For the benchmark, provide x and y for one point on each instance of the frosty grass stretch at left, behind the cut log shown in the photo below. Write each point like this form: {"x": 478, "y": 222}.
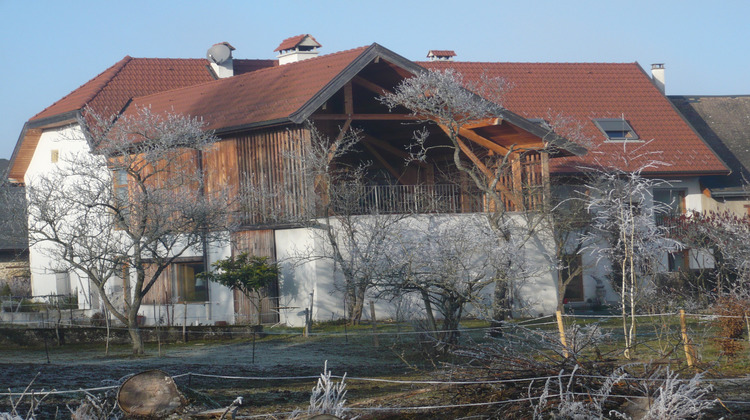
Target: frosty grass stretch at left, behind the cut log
{"x": 73, "y": 367}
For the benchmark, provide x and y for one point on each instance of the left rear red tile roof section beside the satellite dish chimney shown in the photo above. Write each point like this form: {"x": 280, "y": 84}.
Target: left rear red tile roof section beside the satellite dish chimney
{"x": 111, "y": 90}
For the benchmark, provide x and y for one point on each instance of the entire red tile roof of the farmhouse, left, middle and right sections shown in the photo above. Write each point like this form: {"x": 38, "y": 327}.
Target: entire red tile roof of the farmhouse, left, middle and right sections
{"x": 263, "y": 92}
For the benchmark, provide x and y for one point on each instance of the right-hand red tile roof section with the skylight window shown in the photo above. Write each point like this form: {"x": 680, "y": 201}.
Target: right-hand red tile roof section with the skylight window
{"x": 583, "y": 91}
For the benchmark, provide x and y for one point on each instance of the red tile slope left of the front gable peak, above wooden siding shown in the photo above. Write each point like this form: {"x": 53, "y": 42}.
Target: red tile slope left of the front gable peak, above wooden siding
{"x": 261, "y": 96}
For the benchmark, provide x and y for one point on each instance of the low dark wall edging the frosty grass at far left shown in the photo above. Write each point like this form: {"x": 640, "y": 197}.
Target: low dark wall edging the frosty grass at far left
{"x": 77, "y": 335}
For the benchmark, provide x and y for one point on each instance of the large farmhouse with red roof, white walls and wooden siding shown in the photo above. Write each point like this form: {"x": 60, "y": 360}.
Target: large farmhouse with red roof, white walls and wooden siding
{"x": 262, "y": 110}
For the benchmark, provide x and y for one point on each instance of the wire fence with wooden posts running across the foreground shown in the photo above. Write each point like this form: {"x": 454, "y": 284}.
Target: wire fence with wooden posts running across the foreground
{"x": 661, "y": 337}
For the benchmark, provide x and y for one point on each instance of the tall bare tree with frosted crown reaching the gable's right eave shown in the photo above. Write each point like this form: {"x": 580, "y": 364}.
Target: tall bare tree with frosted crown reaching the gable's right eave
{"x": 453, "y": 104}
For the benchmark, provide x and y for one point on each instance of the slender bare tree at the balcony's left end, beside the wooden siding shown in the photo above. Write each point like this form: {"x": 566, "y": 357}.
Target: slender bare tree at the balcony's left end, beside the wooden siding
{"x": 349, "y": 223}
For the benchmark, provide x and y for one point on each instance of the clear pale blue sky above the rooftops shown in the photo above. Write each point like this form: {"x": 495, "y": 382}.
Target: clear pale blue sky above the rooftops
{"x": 52, "y": 47}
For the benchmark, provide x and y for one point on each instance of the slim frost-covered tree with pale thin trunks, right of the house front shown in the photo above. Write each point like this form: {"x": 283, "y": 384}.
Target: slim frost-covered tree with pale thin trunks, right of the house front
{"x": 625, "y": 233}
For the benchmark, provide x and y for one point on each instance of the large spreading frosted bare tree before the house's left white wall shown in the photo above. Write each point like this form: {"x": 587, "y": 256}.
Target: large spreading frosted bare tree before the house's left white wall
{"x": 130, "y": 207}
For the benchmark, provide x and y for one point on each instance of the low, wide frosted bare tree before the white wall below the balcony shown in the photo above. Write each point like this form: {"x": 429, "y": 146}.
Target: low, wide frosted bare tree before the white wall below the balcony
{"x": 450, "y": 263}
